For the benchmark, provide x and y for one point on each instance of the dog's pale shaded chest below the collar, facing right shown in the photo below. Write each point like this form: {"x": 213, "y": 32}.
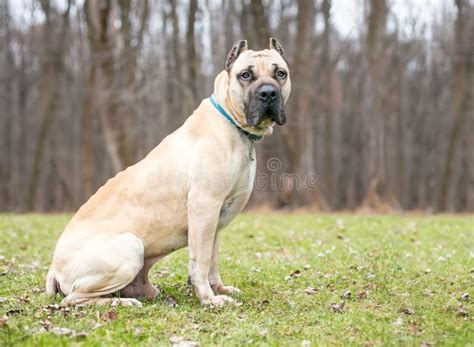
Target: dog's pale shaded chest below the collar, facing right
{"x": 244, "y": 170}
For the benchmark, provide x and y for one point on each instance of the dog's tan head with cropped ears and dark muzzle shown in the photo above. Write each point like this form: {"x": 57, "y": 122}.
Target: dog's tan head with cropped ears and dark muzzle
{"x": 255, "y": 86}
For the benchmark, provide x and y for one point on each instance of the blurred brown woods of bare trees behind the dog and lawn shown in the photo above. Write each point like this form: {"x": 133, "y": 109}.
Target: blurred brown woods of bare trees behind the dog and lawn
{"x": 383, "y": 115}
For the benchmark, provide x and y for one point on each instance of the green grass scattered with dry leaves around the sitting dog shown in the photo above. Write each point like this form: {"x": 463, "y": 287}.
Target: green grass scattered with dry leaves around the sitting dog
{"x": 406, "y": 276}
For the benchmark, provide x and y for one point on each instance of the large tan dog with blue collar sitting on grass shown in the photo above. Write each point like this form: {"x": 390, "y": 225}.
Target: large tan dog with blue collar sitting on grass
{"x": 183, "y": 193}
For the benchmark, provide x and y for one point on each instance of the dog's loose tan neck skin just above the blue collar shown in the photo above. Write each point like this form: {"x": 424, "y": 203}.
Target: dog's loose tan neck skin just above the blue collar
{"x": 221, "y": 93}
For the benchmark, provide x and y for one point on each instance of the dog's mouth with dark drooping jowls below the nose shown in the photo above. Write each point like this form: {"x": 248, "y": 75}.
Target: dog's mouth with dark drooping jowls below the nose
{"x": 262, "y": 114}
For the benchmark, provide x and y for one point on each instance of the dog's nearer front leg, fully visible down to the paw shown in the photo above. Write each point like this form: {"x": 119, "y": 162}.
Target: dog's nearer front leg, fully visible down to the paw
{"x": 203, "y": 216}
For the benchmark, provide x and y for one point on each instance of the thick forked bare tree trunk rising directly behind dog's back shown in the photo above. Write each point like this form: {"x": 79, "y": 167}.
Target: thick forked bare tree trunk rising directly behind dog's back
{"x": 109, "y": 81}
